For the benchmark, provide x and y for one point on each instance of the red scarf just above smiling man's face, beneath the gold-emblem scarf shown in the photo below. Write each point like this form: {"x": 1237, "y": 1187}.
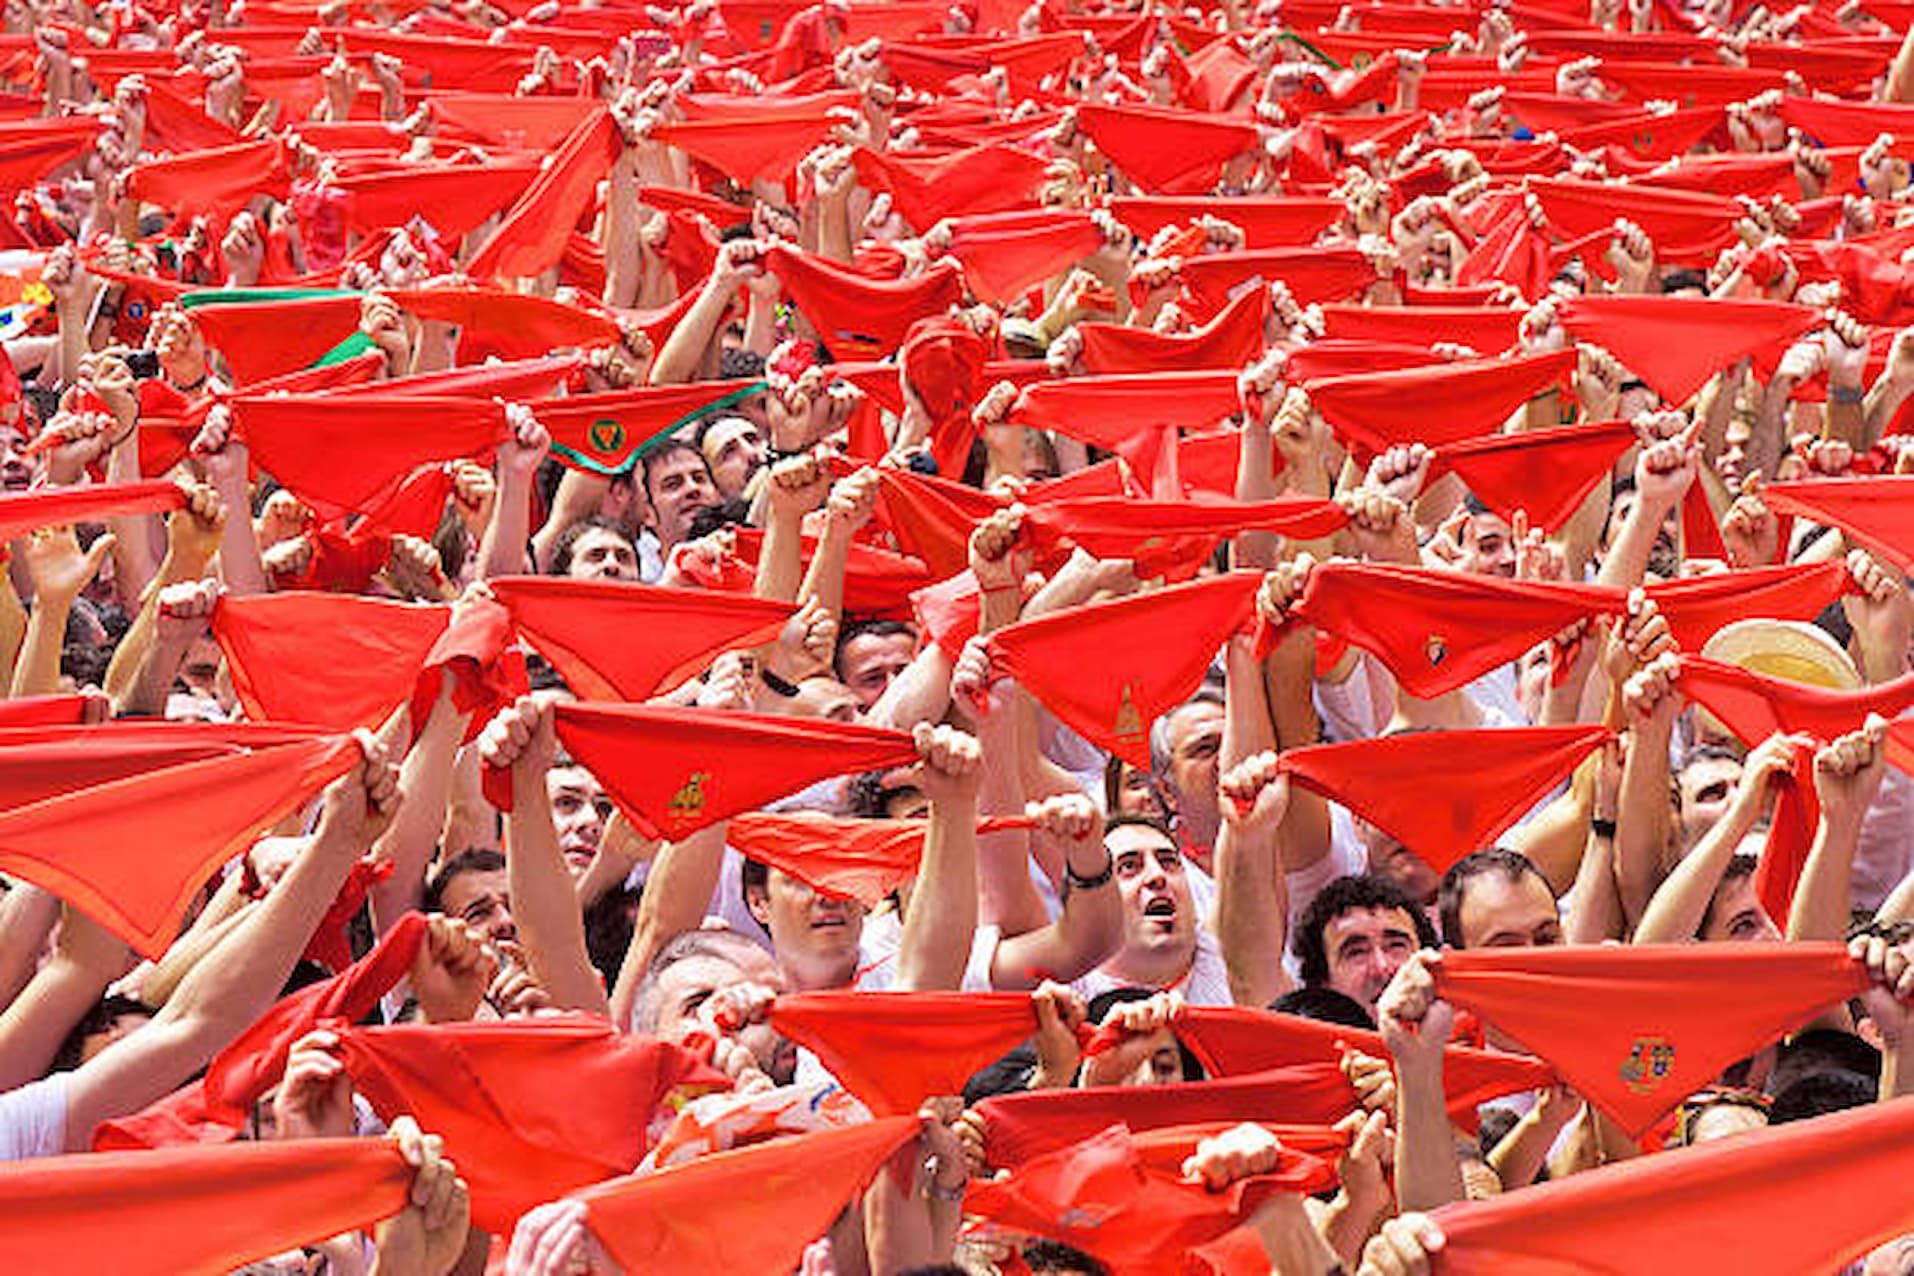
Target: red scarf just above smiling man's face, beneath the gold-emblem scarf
{"x": 862, "y": 860}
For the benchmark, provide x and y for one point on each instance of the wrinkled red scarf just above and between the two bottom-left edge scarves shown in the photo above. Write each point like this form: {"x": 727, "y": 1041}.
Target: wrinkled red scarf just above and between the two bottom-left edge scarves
{"x": 506, "y": 1099}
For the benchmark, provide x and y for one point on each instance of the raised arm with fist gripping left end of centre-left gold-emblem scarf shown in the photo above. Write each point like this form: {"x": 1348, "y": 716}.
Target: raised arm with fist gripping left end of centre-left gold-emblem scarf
{"x": 543, "y": 898}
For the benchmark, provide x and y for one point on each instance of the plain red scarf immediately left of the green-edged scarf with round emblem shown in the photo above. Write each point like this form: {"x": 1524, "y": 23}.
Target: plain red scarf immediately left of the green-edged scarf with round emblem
{"x": 342, "y": 454}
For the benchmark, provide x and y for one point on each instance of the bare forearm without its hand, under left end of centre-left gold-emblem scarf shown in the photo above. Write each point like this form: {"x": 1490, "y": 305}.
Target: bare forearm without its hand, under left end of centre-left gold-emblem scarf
{"x": 545, "y": 904}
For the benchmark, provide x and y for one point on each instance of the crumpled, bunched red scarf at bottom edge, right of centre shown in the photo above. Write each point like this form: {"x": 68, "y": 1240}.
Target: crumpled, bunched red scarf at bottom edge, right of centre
{"x": 1100, "y": 1199}
